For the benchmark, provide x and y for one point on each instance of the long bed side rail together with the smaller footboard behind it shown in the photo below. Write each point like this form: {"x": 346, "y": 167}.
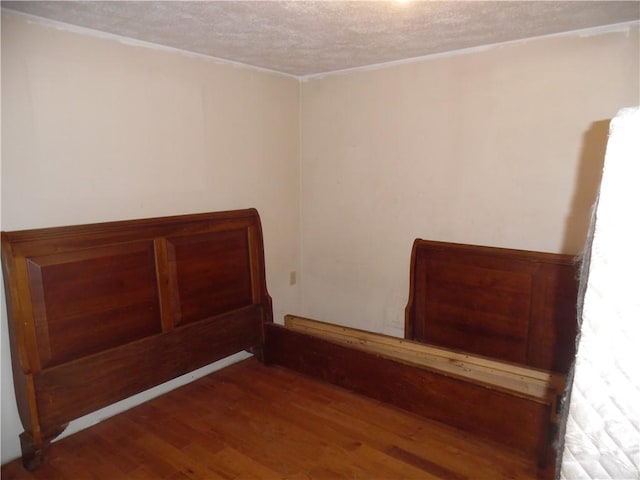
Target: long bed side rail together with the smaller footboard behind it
{"x": 466, "y": 304}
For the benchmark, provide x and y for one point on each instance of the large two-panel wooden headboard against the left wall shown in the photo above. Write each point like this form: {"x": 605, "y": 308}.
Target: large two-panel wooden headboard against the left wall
{"x": 100, "y": 312}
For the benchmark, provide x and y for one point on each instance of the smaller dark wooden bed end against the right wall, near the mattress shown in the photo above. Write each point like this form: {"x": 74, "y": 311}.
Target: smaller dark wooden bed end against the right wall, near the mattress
{"x": 513, "y": 305}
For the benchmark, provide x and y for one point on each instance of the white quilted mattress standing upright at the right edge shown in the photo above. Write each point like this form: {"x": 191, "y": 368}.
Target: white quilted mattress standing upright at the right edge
{"x": 603, "y": 429}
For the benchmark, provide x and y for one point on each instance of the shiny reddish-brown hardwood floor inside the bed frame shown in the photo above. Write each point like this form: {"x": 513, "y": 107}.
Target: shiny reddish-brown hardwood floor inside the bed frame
{"x": 252, "y": 421}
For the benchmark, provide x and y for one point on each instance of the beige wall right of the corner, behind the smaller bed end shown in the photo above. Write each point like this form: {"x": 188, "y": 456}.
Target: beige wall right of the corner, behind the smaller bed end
{"x": 501, "y": 147}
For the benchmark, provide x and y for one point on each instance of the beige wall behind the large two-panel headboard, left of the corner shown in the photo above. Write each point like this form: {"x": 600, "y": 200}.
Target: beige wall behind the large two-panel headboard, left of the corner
{"x": 97, "y": 130}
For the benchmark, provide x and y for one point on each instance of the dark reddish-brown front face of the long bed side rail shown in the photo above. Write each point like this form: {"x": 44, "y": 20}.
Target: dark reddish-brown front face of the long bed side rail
{"x": 515, "y": 420}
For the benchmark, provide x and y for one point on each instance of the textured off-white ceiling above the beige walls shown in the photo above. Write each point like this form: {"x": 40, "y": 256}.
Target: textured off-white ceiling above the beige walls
{"x": 311, "y": 37}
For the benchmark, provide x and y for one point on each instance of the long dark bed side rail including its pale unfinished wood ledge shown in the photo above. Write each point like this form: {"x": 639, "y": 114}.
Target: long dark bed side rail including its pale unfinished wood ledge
{"x": 503, "y": 402}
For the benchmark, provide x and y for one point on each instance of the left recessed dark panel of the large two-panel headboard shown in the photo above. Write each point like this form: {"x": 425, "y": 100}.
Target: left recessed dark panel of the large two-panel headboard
{"x": 89, "y": 301}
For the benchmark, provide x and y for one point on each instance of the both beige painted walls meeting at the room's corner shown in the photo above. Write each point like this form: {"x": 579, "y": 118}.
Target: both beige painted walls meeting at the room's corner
{"x": 497, "y": 147}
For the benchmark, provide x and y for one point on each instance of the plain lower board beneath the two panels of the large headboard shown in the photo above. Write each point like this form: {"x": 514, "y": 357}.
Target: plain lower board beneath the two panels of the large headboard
{"x": 76, "y": 388}
